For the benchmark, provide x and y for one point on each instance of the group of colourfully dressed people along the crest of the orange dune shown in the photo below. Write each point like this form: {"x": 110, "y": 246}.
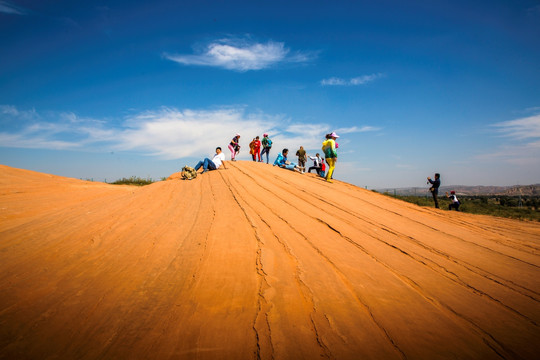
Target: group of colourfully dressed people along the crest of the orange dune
{"x": 329, "y": 148}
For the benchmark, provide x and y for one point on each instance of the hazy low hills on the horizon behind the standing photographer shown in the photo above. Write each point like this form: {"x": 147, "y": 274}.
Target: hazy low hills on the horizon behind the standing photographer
{"x": 514, "y": 190}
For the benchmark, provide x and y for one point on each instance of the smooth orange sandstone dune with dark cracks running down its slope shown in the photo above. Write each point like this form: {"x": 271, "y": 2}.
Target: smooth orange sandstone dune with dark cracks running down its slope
{"x": 256, "y": 262}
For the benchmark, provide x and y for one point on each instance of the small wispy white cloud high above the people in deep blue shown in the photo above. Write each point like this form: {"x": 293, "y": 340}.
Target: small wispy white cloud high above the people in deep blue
{"x": 241, "y": 54}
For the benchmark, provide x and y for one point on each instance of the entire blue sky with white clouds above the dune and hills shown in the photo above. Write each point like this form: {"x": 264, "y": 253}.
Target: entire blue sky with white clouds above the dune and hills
{"x": 109, "y": 89}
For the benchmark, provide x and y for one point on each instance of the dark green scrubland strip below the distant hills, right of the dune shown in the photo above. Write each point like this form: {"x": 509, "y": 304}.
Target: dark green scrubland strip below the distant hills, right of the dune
{"x": 524, "y": 208}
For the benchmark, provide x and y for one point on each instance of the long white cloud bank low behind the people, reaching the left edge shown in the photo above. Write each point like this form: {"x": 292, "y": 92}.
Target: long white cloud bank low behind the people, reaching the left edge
{"x": 166, "y": 133}
